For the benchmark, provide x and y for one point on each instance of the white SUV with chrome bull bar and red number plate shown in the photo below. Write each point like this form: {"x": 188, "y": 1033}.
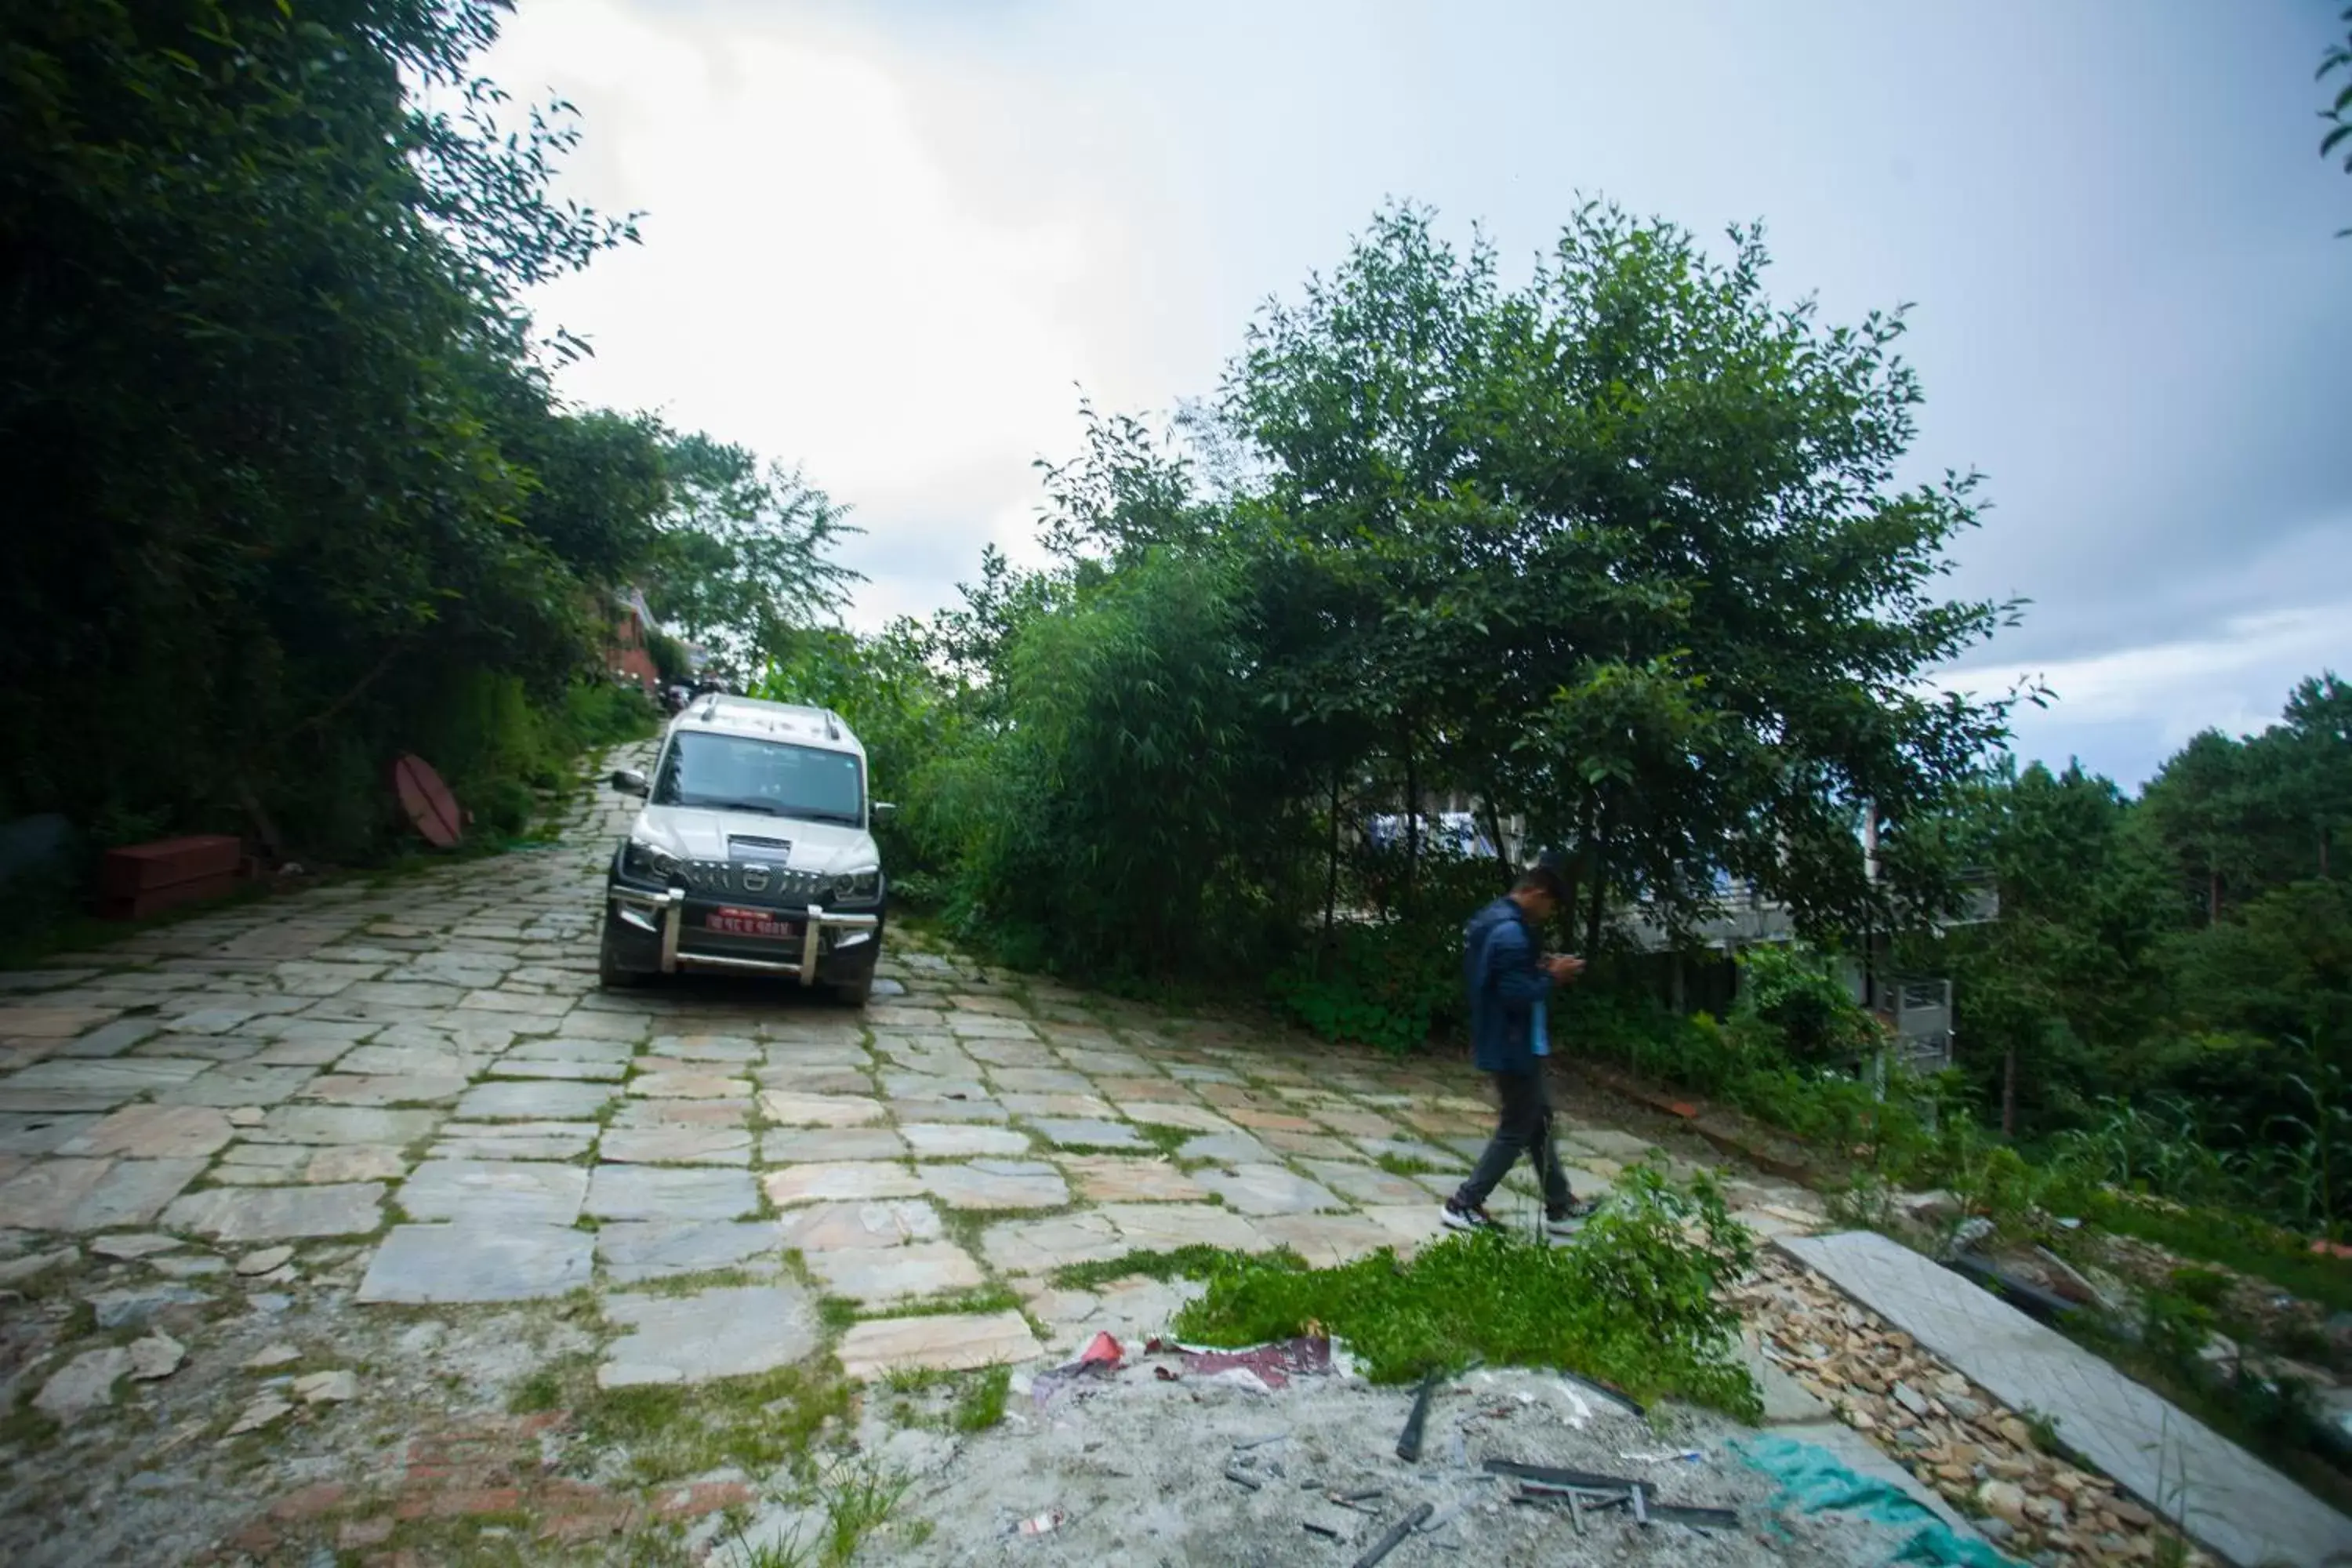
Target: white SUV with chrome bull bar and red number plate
{"x": 754, "y": 852}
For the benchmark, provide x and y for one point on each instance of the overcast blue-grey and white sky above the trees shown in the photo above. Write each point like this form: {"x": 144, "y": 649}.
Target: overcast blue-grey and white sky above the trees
{"x": 895, "y": 241}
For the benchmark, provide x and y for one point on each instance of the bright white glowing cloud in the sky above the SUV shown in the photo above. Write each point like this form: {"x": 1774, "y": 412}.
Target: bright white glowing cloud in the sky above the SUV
{"x": 817, "y": 281}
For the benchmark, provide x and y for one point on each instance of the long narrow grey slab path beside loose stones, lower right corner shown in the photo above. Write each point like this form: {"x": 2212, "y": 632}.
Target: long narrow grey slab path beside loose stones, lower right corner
{"x": 2238, "y": 1506}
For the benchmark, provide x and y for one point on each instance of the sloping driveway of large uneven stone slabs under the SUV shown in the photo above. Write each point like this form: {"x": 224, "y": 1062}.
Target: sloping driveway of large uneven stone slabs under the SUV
{"x": 382, "y": 1099}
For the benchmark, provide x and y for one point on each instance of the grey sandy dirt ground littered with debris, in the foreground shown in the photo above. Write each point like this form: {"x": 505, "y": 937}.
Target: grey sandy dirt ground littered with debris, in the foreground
{"x": 1137, "y": 1470}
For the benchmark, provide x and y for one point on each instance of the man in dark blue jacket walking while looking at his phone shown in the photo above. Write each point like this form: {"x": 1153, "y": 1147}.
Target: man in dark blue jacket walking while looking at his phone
{"x": 1509, "y": 991}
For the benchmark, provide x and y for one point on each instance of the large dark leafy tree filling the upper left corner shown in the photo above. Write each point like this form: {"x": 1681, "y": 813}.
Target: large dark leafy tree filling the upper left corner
{"x": 272, "y": 410}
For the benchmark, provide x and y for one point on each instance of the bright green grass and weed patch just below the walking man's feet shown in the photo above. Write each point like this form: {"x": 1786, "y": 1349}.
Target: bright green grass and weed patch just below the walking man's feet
{"x": 1631, "y": 1304}
